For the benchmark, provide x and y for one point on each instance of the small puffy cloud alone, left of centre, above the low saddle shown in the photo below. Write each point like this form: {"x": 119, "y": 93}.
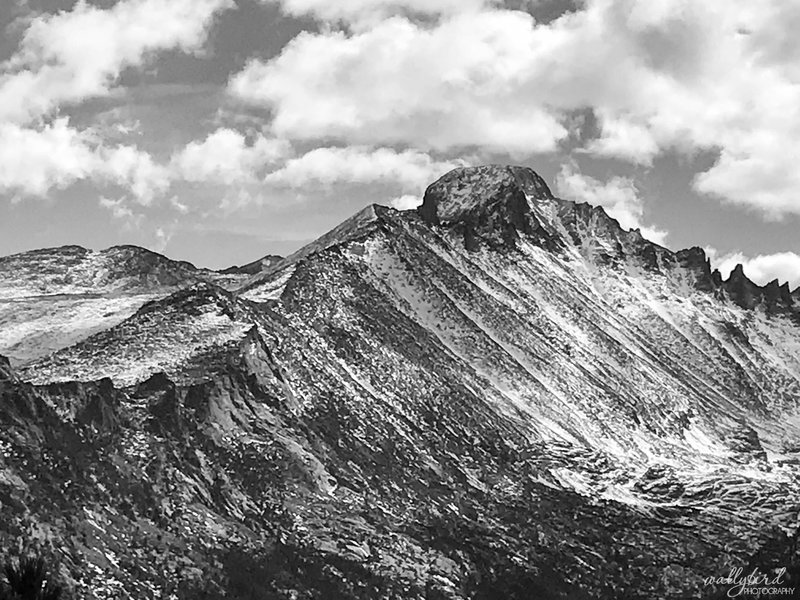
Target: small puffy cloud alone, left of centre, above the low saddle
{"x": 226, "y": 157}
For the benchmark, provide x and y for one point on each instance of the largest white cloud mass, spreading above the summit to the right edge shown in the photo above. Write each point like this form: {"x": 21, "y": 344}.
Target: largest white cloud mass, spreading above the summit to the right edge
{"x": 672, "y": 75}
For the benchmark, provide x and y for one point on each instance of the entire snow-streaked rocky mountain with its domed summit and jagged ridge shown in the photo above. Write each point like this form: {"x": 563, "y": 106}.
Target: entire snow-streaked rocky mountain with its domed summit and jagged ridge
{"x": 501, "y": 394}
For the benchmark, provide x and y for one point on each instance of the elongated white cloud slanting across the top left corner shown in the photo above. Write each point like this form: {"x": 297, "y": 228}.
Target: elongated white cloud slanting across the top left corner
{"x": 73, "y": 55}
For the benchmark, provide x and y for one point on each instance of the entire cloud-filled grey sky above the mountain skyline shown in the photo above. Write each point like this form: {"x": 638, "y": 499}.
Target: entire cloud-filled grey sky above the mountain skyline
{"x": 219, "y": 131}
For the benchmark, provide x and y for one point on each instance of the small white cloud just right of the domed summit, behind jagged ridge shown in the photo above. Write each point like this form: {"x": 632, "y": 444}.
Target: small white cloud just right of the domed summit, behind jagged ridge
{"x": 618, "y": 196}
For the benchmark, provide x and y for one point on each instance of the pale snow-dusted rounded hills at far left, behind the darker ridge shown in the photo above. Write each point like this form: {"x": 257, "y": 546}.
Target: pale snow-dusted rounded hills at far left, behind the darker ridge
{"x": 55, "y": 297}
